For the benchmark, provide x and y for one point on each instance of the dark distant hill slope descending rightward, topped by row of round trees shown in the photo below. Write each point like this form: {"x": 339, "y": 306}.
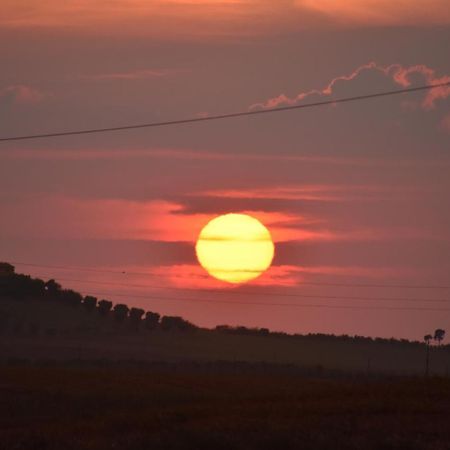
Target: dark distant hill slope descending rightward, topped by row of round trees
{"x": 41, "y": 320}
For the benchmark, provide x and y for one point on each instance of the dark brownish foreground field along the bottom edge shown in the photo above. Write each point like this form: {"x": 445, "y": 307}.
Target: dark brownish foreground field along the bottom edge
{"x": 114, "y": 407}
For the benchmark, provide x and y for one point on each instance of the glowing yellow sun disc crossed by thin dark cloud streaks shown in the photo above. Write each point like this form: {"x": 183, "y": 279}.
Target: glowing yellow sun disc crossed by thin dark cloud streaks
{"x": 235, "y": 248}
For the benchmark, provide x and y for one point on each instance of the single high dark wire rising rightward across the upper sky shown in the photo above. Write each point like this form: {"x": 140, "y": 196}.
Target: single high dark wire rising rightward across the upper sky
{"x": 221, "y": 116}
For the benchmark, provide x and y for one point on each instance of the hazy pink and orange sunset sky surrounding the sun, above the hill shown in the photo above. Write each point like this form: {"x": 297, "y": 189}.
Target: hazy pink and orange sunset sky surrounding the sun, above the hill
{"x": 351, "y": 193}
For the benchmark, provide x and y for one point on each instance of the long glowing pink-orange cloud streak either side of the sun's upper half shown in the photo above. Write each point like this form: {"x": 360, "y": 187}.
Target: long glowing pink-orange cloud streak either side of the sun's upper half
{"x": 57, "y": 217}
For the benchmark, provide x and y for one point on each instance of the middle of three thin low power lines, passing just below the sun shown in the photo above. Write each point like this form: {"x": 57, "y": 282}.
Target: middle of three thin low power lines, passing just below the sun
{"x": 262, "y": 294}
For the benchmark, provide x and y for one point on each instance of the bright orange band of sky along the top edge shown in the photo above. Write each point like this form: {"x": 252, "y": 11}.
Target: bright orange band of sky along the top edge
{"x": 218, "y": 17}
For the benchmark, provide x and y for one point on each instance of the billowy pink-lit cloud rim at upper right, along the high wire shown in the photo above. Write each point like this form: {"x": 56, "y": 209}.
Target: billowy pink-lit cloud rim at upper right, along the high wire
{"x": 397, "y": 74}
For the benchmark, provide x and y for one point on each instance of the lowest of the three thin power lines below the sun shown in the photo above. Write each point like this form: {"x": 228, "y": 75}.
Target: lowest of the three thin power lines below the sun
{"x": 294, "y": 305}
